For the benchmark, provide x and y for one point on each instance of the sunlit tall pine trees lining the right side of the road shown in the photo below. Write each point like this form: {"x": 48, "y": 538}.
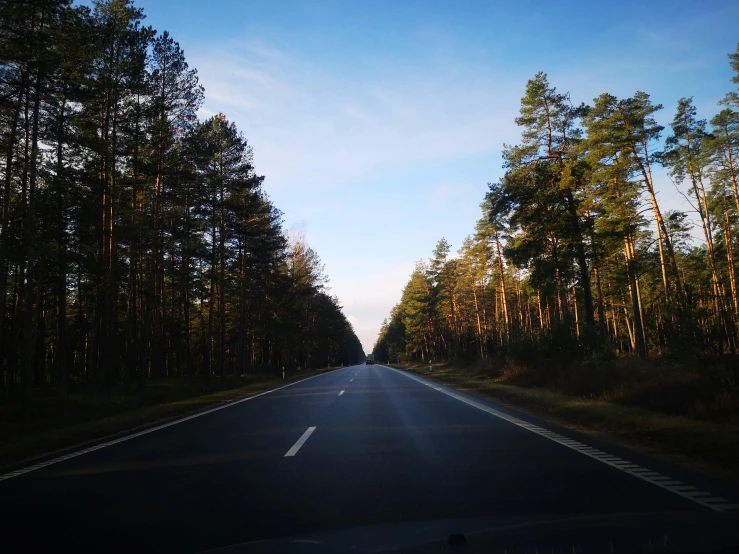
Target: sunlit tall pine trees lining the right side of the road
{"x": 574, "y": 253}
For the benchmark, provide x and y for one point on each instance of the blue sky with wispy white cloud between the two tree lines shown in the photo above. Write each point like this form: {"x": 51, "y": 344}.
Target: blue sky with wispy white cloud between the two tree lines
{"x": 378, "y": 124}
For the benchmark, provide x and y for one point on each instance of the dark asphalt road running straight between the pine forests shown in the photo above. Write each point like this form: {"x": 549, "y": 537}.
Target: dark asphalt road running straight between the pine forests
{"x": 309, "y": 457}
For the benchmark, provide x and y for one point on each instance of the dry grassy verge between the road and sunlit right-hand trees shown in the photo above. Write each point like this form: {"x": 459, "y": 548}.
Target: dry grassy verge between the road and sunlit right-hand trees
{"x": 711, "y": 447}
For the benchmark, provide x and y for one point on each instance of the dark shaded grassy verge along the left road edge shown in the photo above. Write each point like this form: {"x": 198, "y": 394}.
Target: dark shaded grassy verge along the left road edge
{"x": 60, "y": 423}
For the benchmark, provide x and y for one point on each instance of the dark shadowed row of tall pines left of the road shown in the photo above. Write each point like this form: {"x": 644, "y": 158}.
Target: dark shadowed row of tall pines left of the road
{"x": 137, "y": 241}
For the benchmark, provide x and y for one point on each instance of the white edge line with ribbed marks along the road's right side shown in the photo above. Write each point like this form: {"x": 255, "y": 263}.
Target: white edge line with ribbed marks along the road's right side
{"x": 706, "y": 499}
